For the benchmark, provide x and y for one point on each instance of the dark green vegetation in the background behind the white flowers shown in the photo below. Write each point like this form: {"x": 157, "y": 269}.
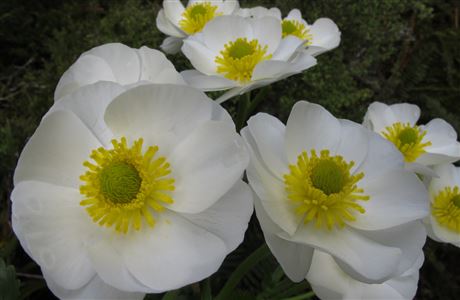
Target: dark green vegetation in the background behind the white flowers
{"x": 391, "y": 50}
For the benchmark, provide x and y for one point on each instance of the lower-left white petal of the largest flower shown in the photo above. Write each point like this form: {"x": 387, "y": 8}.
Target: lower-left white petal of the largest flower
{"x": 54, "y": 227}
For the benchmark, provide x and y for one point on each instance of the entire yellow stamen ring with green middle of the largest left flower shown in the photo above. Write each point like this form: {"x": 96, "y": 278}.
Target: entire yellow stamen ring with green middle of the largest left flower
{"x": 124, "y": 186}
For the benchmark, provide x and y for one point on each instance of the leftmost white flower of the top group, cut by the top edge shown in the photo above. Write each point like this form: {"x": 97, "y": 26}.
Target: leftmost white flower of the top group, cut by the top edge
{"x": 179, "y": 22}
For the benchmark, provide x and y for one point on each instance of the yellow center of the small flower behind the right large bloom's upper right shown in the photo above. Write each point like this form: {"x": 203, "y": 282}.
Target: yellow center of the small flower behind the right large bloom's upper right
{"x": 408, "y": 139}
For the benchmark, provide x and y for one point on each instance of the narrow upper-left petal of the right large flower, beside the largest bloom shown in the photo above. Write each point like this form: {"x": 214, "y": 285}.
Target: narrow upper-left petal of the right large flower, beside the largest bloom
{"x": 268, "y": 133}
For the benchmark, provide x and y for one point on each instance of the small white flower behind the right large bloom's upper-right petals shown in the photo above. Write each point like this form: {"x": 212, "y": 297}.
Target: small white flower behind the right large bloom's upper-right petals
{"x": 424, "y": 145}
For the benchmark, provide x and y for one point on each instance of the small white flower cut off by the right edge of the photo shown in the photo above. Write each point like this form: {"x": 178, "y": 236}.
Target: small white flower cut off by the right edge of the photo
{"x": 443, "y": 223}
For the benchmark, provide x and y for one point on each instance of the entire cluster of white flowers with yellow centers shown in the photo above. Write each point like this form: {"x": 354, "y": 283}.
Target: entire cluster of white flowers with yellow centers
{"x": 133, "y": 181}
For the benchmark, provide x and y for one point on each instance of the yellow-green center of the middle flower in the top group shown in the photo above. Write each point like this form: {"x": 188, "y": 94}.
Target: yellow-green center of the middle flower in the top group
{"x": 239, "y": 58}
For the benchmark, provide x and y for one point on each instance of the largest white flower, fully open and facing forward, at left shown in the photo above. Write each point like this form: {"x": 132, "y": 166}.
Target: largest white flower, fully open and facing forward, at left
{"x": 124, "y": 192}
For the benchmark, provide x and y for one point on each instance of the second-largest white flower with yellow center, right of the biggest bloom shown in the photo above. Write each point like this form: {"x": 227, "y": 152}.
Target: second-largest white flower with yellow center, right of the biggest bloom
{"x": 330, "y": 185}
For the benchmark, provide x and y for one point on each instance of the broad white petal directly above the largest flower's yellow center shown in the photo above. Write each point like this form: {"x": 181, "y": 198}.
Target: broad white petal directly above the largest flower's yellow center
{"x": 161, "y": 114}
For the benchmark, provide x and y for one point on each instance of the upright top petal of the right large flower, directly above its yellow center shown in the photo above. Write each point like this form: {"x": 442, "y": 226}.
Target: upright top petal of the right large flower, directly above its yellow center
{"x": 310, "y": 126}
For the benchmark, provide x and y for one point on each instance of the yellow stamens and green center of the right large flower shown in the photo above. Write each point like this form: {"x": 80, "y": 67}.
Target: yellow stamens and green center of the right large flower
{"x": 323, "y": 190}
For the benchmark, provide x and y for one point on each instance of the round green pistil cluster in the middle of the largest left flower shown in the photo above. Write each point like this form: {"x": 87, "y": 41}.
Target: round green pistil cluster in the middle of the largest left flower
{"x": 120, "y": 182}
